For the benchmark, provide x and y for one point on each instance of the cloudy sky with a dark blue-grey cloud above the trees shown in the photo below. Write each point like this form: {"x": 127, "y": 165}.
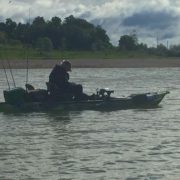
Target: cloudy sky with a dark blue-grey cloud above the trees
{"x": 153, "y": 21}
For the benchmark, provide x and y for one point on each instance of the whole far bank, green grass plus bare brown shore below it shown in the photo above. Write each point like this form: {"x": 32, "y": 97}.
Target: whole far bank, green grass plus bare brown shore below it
{"x": 83, "y": 59}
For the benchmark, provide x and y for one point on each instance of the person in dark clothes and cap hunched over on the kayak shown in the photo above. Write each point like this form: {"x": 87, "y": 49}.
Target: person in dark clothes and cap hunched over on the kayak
{"x": 59, "y": 85}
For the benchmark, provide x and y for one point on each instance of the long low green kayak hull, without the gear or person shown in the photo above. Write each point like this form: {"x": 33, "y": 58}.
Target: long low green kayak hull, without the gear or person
{"x": 146, "y": 100}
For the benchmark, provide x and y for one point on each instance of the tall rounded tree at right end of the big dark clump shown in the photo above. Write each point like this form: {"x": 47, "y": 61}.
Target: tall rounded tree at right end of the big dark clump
{"x": 81, "y": 35}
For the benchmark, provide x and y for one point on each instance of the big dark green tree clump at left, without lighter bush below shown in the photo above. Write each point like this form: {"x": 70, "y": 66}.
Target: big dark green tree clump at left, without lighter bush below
{"x": 72, "y": 34}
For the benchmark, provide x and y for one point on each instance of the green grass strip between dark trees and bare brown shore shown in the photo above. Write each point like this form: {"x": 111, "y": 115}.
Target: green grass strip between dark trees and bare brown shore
{"x": 18, "y": 52}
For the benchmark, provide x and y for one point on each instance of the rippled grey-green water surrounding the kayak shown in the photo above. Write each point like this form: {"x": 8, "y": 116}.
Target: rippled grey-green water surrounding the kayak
{"x": 80, "y": 145}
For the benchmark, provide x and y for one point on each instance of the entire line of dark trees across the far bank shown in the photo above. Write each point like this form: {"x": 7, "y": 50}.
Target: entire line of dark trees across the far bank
{"x": 72, "y": 34}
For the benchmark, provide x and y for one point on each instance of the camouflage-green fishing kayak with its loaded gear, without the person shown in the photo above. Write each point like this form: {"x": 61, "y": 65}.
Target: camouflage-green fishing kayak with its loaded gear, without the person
{"x": 19, "y": 99}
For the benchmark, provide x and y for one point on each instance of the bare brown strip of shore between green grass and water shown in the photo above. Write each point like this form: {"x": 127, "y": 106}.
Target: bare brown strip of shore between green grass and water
{"x": 96, "y": 63}
